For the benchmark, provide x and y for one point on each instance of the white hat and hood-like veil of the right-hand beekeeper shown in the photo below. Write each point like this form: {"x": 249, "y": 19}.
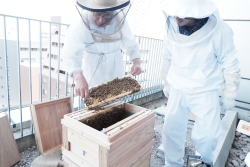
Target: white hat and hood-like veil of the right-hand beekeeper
{"x": 188, "y": 9}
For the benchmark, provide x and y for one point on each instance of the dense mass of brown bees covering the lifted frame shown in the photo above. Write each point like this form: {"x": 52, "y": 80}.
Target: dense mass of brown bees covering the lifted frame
{"x": 112, "y": 88}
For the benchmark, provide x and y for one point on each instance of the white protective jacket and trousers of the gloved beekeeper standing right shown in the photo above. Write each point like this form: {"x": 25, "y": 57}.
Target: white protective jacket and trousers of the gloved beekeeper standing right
{"x": 195, "y": 75}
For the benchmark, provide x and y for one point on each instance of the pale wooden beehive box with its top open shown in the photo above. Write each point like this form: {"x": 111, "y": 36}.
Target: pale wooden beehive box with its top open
{"x": 125, "y": 143}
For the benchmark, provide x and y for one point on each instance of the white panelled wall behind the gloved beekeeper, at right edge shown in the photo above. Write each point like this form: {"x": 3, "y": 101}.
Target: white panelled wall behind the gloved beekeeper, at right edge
{"x": 239, "y": 10}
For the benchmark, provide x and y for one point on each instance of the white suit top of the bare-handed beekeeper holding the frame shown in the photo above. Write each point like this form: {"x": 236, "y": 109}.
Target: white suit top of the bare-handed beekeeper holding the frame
{"x": 82, "y": 53}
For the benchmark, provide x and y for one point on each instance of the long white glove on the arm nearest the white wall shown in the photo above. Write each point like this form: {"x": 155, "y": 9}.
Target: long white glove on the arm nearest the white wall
{"x": 232, "y": 82}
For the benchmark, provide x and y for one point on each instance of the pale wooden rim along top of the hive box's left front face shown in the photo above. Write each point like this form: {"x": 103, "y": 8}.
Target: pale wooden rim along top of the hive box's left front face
{"x": 88, "y": 134}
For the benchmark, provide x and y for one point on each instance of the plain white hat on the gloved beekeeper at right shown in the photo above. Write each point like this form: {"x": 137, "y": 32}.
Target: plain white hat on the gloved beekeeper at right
{"x": 188, "y": 8}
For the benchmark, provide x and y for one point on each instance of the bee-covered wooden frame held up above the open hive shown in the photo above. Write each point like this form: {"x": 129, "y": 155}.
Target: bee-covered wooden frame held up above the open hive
{"x": 111, "y": 91}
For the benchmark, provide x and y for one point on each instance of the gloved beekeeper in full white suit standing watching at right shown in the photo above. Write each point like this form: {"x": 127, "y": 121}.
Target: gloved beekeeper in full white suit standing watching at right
{"x": 199, "y": 58}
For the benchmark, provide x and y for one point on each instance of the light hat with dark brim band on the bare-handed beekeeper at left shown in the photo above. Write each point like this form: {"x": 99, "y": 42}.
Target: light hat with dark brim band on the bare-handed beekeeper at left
{"x": 102, "y": 5}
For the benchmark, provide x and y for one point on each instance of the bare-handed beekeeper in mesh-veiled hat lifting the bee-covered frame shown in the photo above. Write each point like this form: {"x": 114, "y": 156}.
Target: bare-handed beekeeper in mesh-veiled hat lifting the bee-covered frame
{"x": 93, "y": 45}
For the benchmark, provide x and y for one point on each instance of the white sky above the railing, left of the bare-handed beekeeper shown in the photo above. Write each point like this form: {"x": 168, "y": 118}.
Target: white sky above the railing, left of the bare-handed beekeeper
{"x": 38, "y": 9}
